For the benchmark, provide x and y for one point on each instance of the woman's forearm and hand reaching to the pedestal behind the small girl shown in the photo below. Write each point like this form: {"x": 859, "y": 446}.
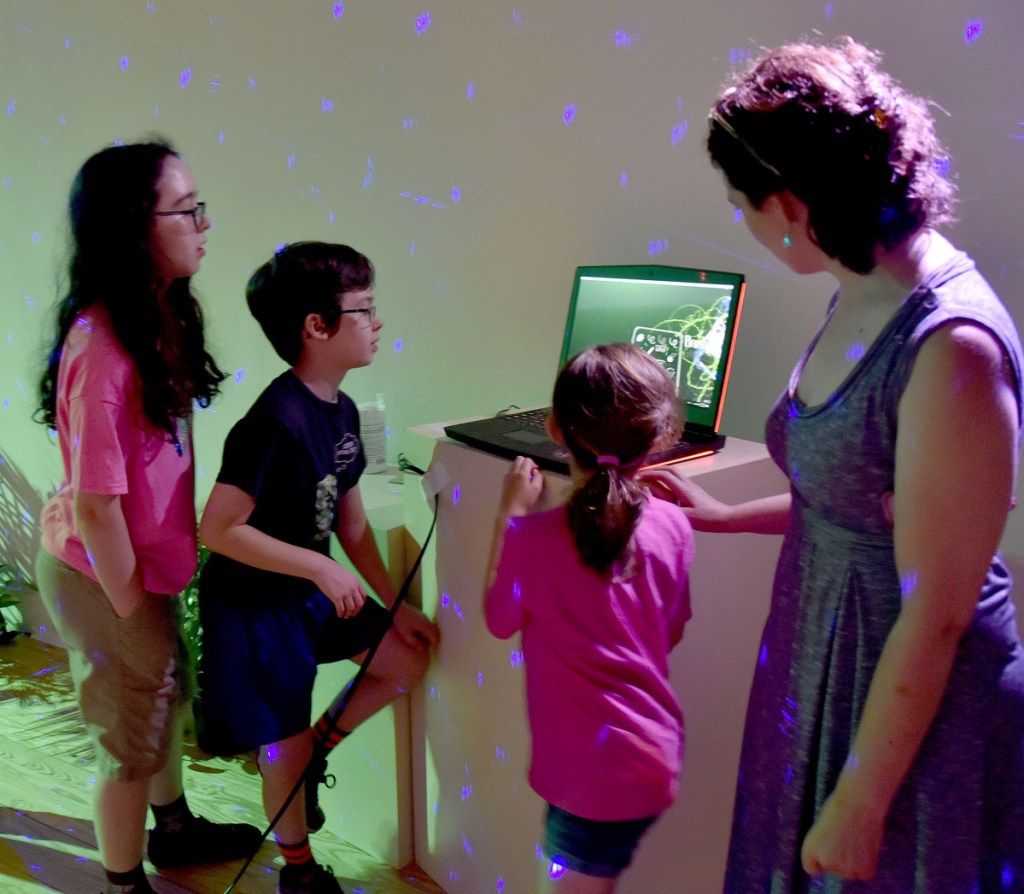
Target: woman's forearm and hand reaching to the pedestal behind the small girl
{"x": 766, "y": 516}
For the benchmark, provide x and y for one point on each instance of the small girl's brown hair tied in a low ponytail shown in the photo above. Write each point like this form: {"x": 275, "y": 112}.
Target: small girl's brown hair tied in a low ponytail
{"x": 614, "y": 405}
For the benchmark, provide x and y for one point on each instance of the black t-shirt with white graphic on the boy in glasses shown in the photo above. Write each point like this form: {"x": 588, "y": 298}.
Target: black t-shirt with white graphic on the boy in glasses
{"x": 296, "y": 456}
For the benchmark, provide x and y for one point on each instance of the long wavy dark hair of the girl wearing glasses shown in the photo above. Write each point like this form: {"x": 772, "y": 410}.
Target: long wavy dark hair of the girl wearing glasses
{"x": 112, "y": 266}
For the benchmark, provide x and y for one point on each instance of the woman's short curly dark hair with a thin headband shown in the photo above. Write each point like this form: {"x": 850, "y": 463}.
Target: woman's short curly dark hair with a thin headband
{"x": 828, "y": 124}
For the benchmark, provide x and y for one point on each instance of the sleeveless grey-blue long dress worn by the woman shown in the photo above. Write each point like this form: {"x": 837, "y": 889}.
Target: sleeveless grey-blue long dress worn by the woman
{"x": 957, "y": 826}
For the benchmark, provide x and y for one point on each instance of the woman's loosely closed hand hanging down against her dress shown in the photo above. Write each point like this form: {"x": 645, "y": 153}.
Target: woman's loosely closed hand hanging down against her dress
{"x": 845, "y": 840}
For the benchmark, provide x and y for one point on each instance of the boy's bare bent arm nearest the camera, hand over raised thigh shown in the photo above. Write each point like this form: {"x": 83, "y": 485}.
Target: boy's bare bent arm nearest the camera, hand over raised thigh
{"x": 225, "y": 530}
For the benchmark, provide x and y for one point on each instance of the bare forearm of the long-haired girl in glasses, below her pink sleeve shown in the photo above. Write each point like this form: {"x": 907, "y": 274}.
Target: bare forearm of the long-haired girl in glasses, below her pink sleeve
{"x": 105, "y": 533}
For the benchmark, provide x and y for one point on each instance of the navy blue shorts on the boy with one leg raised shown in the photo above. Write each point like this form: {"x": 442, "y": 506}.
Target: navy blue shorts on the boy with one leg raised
{"x": 259, "y": 663}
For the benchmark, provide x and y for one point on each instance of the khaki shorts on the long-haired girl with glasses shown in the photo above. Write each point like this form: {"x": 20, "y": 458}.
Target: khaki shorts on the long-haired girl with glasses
{"x": 132, "y": 674}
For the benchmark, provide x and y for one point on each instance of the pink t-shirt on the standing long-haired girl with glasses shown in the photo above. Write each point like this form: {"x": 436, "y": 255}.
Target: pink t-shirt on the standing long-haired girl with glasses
{"x": 109, "y": 447}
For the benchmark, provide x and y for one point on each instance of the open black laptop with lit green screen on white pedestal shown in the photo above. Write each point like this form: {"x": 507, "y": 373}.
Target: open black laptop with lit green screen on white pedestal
{"x": 685, "y": 318}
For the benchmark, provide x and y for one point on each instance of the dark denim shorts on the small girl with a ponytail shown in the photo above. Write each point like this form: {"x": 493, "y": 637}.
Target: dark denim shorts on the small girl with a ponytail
{"x": 592, "y": 847}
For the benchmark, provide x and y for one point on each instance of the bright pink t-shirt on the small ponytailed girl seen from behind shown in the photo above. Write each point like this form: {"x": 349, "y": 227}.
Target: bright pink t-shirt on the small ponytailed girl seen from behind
{"x": 607, "y": 727}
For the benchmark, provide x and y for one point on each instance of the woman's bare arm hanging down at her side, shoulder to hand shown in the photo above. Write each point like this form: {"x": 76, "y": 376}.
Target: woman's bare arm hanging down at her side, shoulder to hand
{"x": 949, "y": 518}
